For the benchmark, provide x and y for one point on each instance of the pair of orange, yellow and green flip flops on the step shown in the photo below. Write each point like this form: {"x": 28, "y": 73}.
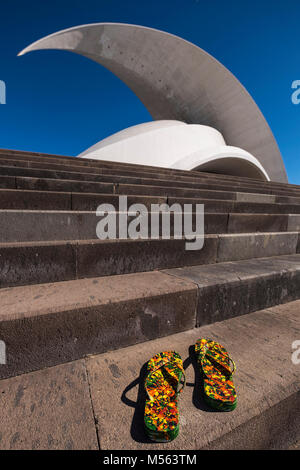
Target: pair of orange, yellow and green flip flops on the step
{"x": 163, "y": 385}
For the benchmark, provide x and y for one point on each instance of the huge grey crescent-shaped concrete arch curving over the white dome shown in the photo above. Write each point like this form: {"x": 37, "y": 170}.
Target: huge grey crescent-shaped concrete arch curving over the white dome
{"x": 176, "y": 80}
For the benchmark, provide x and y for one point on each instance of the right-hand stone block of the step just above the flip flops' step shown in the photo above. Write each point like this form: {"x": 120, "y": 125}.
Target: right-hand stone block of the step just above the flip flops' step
{"x": 236, "y": 288}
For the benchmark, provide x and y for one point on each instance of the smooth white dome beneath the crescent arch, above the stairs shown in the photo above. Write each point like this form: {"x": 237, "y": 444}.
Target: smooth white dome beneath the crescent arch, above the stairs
{"x": 174, "y": 144}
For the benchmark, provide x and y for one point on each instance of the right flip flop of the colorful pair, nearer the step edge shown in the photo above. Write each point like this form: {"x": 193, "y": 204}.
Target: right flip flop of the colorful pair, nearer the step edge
{"x": 218, "y": 387}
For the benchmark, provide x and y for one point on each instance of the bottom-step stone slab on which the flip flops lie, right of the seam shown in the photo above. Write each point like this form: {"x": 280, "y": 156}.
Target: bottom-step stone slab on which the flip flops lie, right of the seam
{"x": 267, "y": 415}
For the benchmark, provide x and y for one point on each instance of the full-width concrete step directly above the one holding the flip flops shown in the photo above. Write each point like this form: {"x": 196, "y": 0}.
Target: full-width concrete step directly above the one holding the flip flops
{"x": 47, "y": 324}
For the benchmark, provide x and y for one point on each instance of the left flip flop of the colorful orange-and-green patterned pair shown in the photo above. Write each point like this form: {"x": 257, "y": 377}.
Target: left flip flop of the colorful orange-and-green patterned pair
{"x": 165, "y": 371}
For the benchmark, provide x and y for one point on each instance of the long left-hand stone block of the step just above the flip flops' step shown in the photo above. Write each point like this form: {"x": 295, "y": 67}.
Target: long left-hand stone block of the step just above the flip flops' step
{"x": 44, "y": 325}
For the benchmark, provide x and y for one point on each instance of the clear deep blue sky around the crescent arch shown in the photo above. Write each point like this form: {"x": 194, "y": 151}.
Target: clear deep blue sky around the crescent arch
{"x": 62, "y": 103}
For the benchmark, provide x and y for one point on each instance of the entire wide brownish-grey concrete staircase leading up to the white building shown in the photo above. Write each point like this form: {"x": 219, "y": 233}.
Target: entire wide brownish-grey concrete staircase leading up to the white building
{"x": 80, "y": 311}
